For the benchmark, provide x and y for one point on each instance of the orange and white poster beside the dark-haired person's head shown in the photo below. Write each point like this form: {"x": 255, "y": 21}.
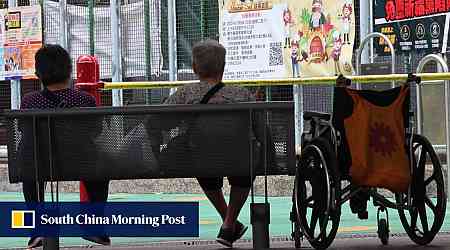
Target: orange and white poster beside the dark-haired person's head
{"x": 21, "y": 37}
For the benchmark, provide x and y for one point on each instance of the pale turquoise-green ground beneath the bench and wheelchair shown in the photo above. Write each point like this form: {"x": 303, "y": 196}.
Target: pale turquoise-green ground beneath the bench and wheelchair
{"x": 210, "y": 222}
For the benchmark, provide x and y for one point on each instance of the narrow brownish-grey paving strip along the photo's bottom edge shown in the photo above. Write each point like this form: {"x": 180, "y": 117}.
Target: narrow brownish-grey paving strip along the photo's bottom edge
{"x": 347, "y": 243}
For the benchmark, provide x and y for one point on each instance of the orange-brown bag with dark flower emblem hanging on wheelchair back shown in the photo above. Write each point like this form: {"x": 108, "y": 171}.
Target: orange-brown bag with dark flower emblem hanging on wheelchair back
{"x": 376, "y": 138}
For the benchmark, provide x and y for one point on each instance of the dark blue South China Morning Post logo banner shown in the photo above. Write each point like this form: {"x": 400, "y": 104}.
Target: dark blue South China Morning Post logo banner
{"x": 116, "y": 219}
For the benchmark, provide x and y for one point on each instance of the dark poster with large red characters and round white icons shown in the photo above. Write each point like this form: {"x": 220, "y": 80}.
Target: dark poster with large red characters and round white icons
{"x": 412, "y": 25}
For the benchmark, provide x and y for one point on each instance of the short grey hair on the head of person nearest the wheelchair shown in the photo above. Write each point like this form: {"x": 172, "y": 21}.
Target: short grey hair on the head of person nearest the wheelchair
{"x": 208, "y": 58}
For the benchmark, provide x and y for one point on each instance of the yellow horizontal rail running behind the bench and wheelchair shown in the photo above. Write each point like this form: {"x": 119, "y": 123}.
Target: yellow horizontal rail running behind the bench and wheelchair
{"x": 326, "y": 80}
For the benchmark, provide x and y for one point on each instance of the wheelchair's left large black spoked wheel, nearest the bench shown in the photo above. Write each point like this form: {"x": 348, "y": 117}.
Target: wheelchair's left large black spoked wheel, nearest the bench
{"x": 317, "y": 193}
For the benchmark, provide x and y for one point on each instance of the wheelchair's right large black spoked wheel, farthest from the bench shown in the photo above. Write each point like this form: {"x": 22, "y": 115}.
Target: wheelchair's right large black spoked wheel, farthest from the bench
{"x": 424, "y": 219}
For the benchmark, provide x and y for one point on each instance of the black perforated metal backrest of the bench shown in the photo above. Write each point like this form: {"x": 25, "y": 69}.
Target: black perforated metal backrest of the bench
{"x": 151, "y": 144}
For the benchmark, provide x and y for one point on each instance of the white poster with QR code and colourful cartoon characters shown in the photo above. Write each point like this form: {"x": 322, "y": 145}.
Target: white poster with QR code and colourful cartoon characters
{"x": 286, "y": 38}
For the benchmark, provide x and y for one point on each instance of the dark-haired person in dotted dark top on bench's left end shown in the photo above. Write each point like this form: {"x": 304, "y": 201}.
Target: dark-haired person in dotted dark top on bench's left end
{"x": 54, "y": 68}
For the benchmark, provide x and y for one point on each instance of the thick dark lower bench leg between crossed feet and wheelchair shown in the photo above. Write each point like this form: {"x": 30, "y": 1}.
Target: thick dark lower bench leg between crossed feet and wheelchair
{"x": 260, "y": 218}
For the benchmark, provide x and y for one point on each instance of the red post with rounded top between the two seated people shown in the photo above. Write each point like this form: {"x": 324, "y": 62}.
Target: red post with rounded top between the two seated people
{"x": 88, "y": 80}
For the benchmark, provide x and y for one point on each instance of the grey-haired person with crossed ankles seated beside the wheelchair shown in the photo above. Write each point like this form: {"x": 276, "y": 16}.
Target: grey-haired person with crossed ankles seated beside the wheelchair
{"x": 208, "y": 64}
